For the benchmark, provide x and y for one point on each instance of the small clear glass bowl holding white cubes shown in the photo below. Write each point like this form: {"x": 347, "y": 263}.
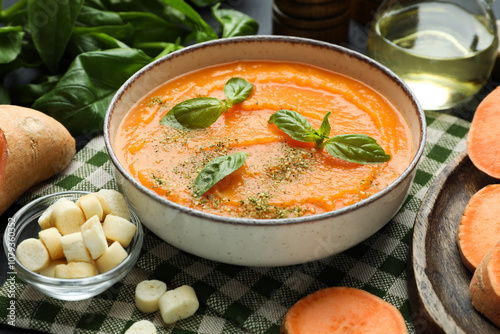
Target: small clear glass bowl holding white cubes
{"x": 24, "y": 225}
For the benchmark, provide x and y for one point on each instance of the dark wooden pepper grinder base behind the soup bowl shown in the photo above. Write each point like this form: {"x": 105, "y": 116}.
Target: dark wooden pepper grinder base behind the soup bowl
{"x": 326, "y": 20}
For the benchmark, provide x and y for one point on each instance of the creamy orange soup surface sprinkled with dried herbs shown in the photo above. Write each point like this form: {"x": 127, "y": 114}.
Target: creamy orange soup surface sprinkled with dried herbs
{"x": 281, "y": 177}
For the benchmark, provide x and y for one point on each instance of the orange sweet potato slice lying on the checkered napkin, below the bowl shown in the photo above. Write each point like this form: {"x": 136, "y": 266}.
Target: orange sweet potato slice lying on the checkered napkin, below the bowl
{"x": 342, "y": 310}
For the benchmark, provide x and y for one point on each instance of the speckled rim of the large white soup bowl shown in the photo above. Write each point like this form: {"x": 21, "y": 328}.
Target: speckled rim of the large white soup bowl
{"x": 279, "y": 221}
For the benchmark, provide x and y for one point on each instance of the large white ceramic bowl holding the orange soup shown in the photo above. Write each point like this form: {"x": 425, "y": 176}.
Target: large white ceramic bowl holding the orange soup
{"x": 269, "y": 242}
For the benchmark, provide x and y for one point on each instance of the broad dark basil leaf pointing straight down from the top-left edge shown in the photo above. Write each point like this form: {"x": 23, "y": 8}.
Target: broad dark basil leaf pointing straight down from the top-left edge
{"x": 50, "y": 25}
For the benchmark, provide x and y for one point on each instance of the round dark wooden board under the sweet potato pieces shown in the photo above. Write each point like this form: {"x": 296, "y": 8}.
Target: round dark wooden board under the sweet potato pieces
{"x": 438, "y": 281}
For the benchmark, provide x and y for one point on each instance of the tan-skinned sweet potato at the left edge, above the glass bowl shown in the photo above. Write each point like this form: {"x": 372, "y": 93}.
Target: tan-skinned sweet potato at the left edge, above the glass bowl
{"x": 33, "y": 147}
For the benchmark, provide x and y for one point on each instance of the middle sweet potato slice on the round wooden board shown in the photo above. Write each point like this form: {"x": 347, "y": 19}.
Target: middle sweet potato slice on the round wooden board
{"x": 479, "y": 228}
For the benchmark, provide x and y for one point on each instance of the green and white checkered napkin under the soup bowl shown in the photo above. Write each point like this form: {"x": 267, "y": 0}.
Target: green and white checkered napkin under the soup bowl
{"x": 234, "y": 299}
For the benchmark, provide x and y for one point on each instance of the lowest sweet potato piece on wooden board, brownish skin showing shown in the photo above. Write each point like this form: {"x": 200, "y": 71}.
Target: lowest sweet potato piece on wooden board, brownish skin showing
{"x": 485, "y": 287}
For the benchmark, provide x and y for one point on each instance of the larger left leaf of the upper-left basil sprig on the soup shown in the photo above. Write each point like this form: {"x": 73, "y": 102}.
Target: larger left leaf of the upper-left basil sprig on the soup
{"x": 199, "y": 112}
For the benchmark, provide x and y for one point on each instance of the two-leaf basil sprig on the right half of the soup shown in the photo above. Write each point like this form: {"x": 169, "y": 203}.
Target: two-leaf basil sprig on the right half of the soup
{"x": 357, "y": 148}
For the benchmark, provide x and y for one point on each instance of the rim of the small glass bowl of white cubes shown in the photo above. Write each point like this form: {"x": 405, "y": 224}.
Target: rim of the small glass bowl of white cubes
{"x": 25, "y": 273}
